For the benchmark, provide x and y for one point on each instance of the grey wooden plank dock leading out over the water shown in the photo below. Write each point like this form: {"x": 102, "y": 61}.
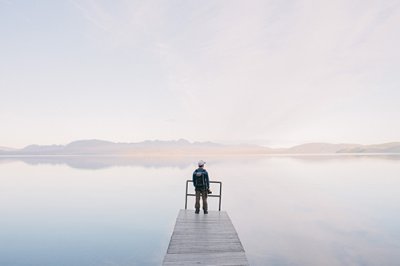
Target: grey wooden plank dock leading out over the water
{"x": 204, "y": 239}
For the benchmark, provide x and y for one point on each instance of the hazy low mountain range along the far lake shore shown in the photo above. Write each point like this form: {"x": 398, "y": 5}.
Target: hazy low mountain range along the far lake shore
{"x": 184, "y": 147}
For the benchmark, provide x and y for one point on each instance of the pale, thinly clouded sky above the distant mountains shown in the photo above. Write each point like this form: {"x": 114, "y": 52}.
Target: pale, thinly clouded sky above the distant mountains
{"x": 274, "y": 73}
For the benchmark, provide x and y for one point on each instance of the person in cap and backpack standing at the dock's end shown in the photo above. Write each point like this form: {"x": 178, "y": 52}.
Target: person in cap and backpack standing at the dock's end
{"x": 202, "y": 186}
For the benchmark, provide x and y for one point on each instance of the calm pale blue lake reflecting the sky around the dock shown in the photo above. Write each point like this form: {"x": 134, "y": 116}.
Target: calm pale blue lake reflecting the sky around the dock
{"x": 287, "y": 210}
